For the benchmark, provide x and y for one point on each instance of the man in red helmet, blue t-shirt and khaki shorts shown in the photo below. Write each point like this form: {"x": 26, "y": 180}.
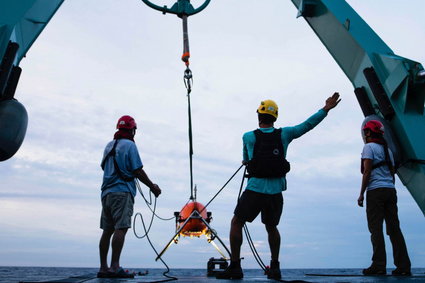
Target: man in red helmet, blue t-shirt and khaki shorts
{"x": 121, "y": 164}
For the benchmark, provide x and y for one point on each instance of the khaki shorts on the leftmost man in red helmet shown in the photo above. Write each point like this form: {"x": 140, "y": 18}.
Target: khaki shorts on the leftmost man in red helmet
{"x": 117, "y": 209}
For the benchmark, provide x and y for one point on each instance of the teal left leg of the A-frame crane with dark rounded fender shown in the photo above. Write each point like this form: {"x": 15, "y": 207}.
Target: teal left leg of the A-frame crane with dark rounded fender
{"x": 21, "y": 22}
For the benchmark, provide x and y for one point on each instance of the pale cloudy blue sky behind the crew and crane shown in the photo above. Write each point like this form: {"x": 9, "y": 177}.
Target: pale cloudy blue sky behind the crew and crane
{"x": 96, "y": 62}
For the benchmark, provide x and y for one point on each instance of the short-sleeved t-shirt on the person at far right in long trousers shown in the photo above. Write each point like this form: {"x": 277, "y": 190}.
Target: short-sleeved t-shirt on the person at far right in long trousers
{"x": 380, "y": 177}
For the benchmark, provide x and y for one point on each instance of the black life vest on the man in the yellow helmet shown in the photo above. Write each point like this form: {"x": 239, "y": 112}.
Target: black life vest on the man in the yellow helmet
{"x": 268, "y": 160}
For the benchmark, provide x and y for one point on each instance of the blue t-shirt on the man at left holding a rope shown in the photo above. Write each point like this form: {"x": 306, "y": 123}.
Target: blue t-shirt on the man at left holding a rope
{"x": 128, "y": 160}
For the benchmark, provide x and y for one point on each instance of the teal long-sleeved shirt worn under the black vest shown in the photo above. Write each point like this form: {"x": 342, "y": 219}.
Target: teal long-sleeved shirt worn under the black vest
{"x": 277, "y": 185}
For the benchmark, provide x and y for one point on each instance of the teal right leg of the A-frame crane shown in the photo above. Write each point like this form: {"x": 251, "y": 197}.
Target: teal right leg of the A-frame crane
{"x": 386, "y": 85}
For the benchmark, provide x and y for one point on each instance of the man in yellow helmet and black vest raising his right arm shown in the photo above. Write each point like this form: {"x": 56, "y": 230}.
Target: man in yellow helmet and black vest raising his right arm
{"x": 263, "y": 192}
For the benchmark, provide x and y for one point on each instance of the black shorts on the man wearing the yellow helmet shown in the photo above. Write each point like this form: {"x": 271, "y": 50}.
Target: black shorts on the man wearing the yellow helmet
{"x": 251, "y": 203}
